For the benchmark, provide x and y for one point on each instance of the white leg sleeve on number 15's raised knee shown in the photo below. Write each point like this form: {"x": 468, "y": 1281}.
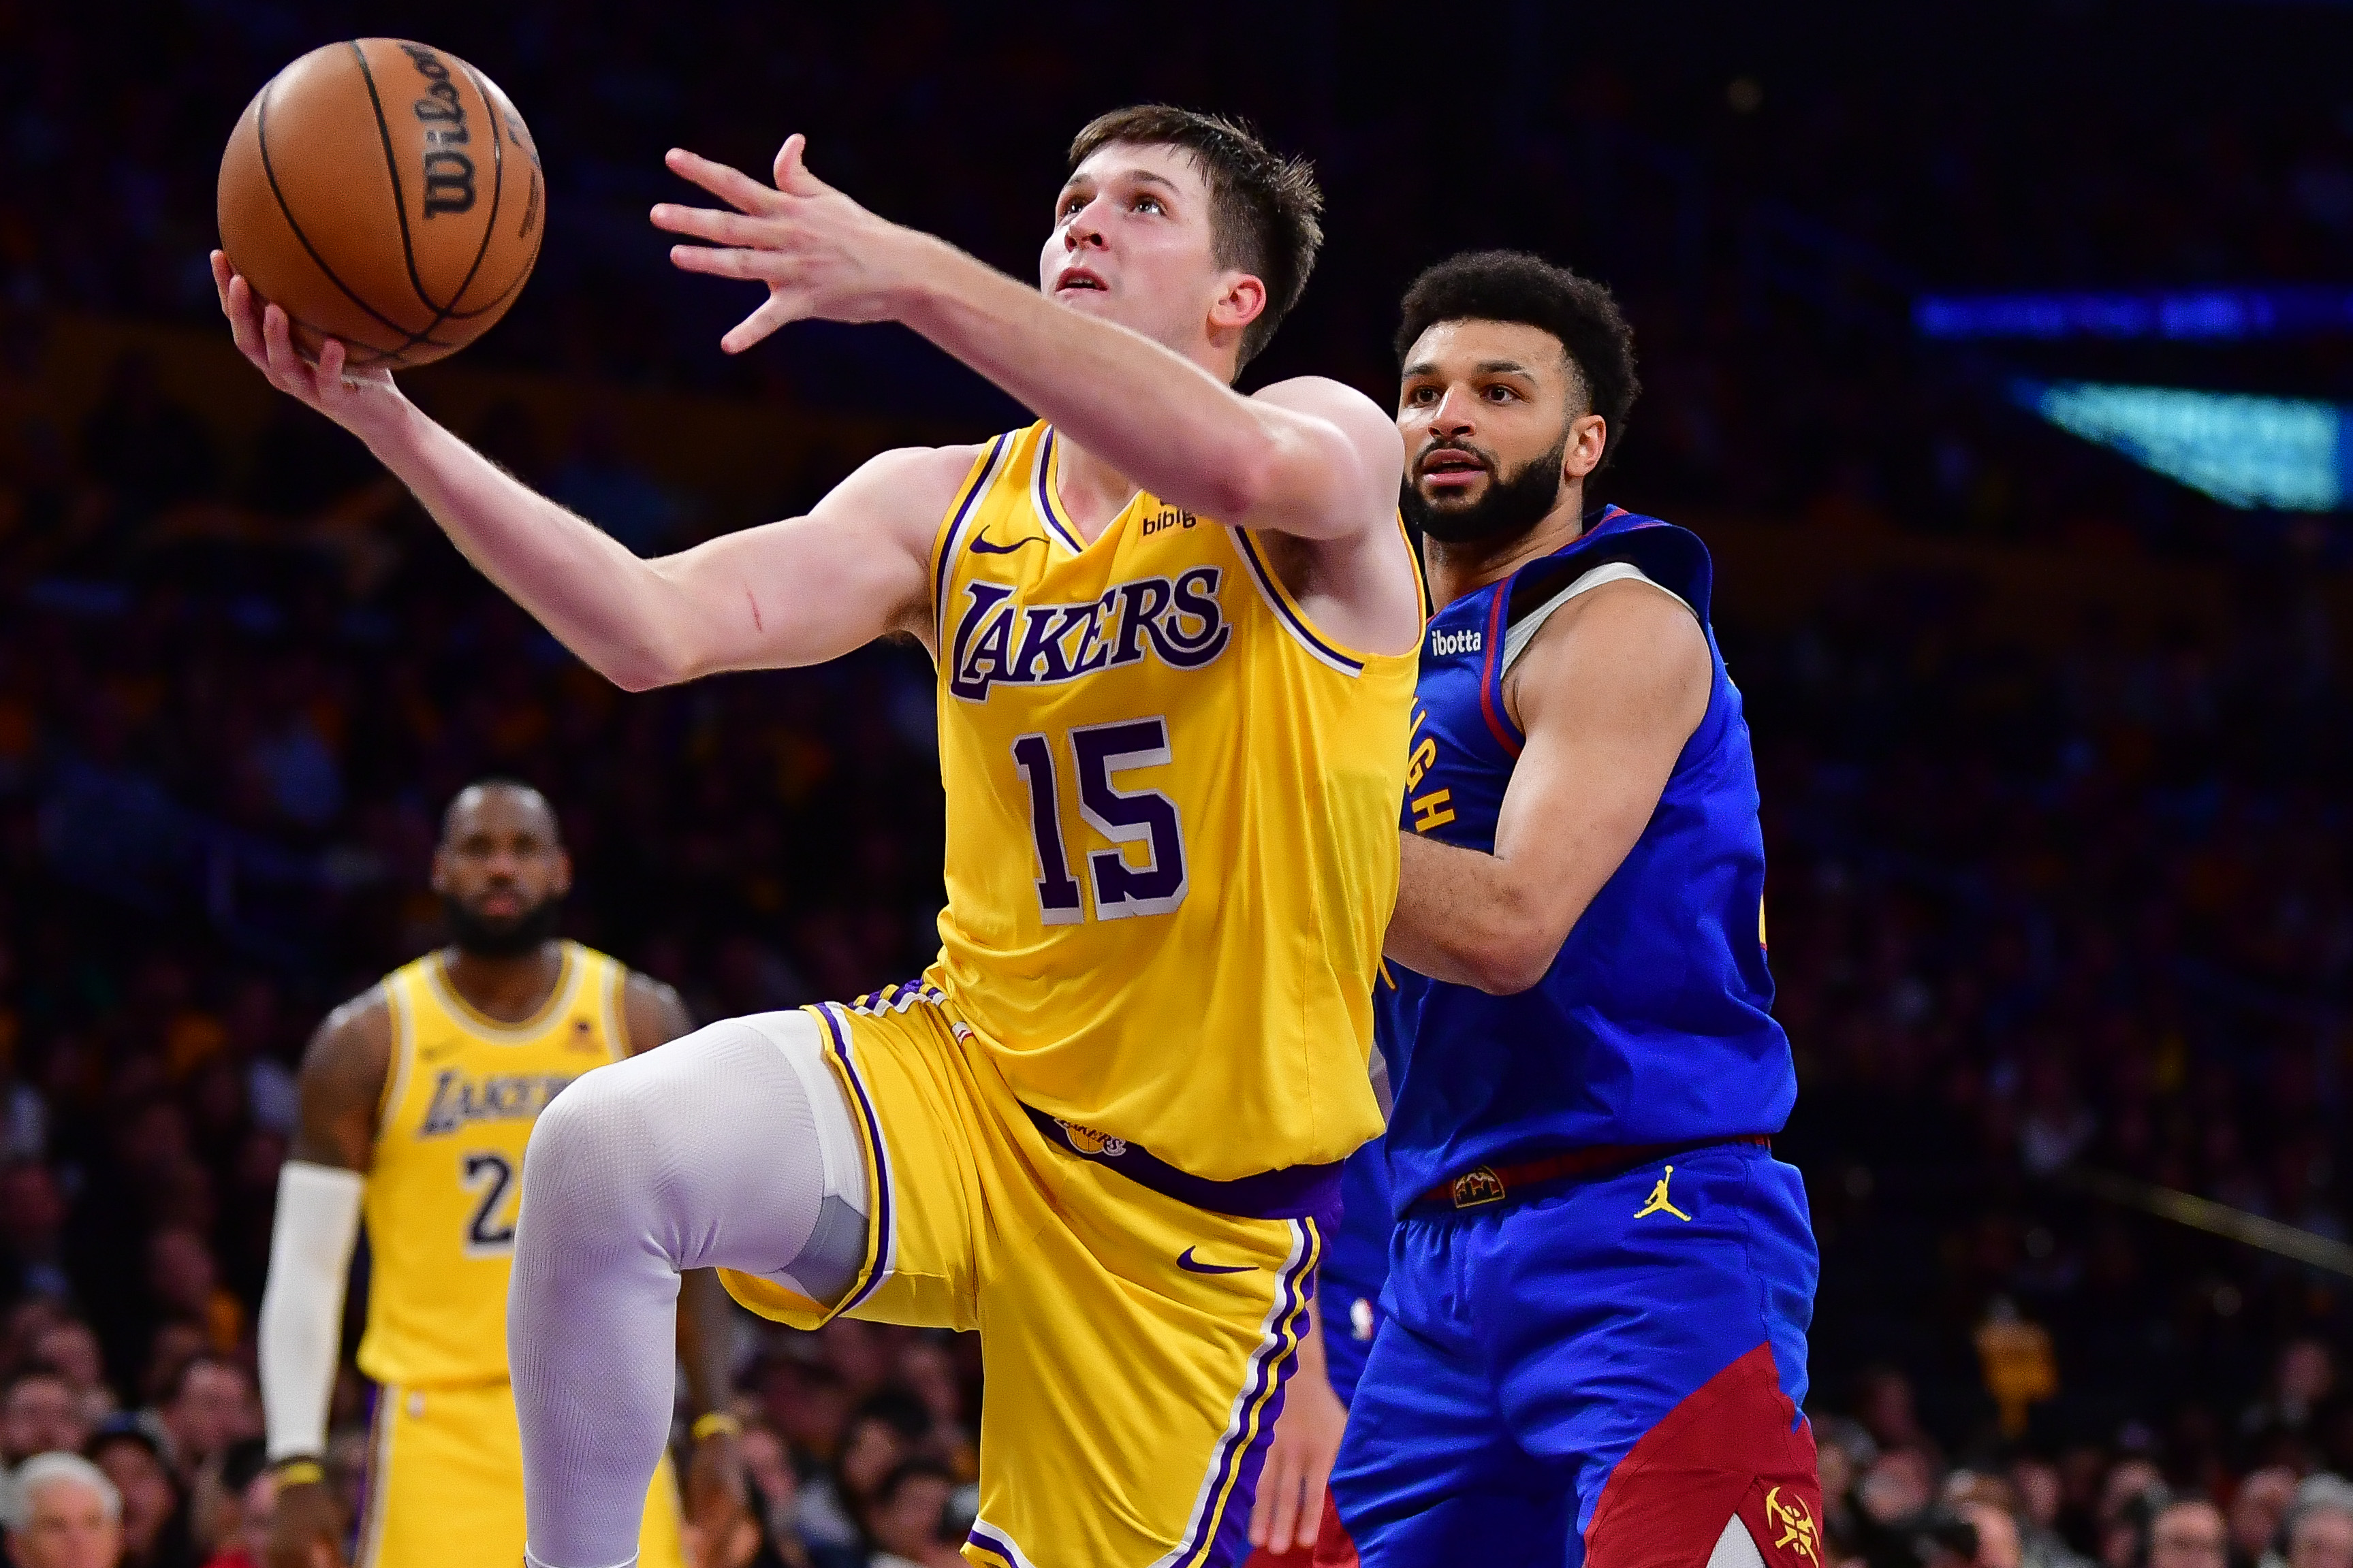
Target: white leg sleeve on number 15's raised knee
{"x": 726, "y": 1148}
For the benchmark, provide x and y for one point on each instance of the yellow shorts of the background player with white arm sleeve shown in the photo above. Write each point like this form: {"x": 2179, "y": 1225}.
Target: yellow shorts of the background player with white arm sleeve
{"x": 446, "y": 1485}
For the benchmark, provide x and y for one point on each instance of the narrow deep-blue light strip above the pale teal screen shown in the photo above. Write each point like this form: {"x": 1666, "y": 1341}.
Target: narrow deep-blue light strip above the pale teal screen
{"x": 2180, "y": 316}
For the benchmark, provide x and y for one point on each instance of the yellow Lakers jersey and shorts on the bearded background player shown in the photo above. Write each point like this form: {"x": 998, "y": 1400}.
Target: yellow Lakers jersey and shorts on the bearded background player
{"x": 460, "y": 1101}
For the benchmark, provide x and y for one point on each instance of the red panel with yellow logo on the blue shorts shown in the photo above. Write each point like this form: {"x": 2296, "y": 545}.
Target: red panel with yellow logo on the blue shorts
{"x": 1733, "y": 1447}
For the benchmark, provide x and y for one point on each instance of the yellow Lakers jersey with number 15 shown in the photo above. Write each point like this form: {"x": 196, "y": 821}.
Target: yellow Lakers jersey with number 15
{"x": 1173, "y": 826}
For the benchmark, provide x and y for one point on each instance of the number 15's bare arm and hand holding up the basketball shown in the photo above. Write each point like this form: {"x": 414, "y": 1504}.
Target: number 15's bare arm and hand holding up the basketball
{"x": 789, "y": 594}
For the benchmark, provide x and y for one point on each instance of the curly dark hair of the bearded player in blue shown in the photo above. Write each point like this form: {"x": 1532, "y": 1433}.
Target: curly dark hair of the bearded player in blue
{"x": 1533, "y": 293}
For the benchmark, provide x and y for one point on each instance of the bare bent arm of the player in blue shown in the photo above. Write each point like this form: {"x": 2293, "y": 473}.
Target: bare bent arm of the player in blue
{"x": 1608, "y": 695}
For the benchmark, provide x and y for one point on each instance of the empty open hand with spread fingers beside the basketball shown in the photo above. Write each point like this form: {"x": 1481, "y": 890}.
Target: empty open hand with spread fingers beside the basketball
{"x": 818, "y": 250}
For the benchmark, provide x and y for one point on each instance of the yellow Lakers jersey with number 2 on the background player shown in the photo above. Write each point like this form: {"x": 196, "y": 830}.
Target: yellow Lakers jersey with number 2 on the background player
{"x": 460, "y": 1104}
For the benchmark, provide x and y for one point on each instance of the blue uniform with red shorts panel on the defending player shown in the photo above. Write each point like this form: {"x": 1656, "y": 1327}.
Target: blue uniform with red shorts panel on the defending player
{"x": 1601, "y": 1280}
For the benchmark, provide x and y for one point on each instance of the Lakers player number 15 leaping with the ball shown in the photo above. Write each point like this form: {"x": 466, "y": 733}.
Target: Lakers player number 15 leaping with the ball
{"x": 1175, "y": 638}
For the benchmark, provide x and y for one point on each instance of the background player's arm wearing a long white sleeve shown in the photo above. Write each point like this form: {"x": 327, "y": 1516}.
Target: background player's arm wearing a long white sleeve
{"x": 302, "y": 1306}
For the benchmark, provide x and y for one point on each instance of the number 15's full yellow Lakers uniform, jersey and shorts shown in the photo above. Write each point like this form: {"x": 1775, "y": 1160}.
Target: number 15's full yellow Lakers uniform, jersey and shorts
{"x": 1107, "y": 1125}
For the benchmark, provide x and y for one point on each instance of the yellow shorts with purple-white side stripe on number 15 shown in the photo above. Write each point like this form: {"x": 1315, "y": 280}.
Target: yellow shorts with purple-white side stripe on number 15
{"x": 1133, "y": 1343}
